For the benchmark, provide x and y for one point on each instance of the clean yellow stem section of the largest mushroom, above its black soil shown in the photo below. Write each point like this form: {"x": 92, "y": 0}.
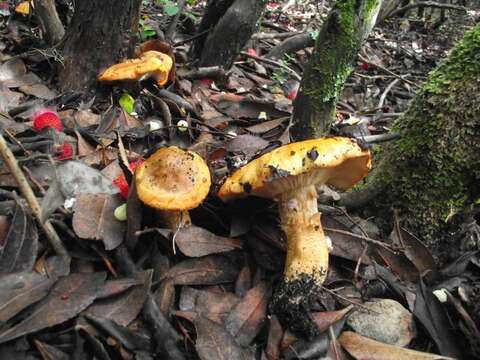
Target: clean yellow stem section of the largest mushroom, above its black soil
{"x": 307, "y": 248}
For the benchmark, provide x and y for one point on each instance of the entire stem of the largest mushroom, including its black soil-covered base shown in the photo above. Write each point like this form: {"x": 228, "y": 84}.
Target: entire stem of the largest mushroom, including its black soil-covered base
{"x": 306, "y": 263}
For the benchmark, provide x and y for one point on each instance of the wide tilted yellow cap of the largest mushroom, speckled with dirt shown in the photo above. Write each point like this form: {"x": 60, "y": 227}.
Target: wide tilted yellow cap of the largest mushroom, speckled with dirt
{"x": 335, "y": 161}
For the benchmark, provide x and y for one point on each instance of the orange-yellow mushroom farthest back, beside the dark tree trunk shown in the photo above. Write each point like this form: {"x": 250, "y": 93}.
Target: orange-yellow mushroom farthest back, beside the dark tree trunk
{"x": 151, "y": 63}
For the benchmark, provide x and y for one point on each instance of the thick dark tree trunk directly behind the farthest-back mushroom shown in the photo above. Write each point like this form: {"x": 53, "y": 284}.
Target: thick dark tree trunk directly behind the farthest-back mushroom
{"x": 101, "y": 33}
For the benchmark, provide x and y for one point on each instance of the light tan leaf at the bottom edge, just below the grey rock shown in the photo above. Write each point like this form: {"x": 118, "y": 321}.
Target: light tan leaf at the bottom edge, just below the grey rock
{"x": 361, "y": 348}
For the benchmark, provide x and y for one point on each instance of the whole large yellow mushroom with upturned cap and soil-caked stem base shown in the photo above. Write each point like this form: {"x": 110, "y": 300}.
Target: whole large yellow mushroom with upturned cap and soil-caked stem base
{"x": 289, "y": 175}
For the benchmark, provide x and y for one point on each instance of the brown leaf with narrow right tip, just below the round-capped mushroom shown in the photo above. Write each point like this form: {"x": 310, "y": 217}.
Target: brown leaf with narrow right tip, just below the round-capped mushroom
{"x": 194, "y": 241}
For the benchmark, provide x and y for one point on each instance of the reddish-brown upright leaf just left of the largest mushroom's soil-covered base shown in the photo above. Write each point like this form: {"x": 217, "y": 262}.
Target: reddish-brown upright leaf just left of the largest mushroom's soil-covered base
{"x": 246, "y": 319}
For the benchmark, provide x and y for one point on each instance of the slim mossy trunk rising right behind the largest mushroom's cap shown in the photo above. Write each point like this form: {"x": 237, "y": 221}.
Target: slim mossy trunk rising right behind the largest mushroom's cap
{"x": 347, "y": 26}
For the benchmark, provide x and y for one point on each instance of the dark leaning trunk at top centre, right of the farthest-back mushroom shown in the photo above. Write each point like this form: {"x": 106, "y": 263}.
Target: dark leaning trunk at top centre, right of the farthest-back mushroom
{"x": 231, "y": 24}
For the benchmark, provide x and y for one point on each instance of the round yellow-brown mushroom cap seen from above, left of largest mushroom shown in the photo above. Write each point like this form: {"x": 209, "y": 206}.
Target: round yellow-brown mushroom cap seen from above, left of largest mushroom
{"x": 173, "y": 179}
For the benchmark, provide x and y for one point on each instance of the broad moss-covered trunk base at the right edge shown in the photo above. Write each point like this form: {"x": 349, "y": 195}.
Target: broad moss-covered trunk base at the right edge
{"x": 432, "y": 173}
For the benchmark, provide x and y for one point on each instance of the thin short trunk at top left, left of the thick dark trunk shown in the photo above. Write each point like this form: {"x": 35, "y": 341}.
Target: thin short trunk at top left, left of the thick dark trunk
{"x": 49, "y": 20}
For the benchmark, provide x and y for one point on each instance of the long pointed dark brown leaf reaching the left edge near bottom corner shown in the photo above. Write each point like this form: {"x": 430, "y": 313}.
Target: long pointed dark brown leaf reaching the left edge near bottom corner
{"x": 68, "y": 298}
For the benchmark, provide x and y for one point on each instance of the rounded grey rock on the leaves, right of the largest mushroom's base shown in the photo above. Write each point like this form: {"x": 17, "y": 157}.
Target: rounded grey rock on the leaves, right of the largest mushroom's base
{"x": 388, "y": 322}
